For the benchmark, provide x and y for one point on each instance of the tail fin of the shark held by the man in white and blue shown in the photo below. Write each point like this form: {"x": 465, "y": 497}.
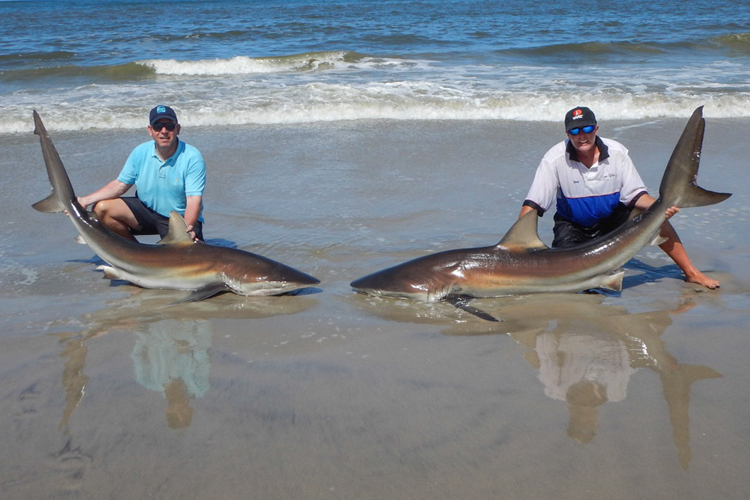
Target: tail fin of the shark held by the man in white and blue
{"x": 678, "y": 186}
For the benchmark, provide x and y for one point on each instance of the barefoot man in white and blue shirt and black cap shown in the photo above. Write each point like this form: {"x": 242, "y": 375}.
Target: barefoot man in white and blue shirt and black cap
{"x": 595, "y": 185}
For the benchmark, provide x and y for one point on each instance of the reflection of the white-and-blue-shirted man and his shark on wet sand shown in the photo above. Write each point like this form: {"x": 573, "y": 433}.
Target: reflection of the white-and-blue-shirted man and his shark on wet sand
{"x": 585, "y": 352}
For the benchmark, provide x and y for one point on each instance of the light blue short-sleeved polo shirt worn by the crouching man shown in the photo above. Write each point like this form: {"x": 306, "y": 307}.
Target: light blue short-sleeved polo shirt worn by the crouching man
{"x": 164, "y": 185}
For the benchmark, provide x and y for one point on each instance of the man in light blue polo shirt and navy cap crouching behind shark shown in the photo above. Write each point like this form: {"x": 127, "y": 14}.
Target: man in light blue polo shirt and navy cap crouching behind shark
{"x": 168, "y": 174}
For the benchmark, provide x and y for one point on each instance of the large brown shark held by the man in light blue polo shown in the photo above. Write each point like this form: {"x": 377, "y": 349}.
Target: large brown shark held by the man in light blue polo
{"x": 176, "y": 262}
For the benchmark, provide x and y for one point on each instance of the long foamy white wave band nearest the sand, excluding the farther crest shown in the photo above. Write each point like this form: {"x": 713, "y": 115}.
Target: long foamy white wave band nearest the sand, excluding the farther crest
{"x": 325, "y": 102}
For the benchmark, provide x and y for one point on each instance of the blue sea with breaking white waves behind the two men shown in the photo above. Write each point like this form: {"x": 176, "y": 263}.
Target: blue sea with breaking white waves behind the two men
{"x": 102, "y": 64}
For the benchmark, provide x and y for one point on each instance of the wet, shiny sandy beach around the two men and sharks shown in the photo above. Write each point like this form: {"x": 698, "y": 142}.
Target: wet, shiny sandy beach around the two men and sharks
{"x": 108, "y": 391}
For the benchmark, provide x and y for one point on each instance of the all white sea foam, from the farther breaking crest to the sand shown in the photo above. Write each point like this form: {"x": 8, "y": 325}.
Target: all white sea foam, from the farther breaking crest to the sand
{"x": 411, "y": 93}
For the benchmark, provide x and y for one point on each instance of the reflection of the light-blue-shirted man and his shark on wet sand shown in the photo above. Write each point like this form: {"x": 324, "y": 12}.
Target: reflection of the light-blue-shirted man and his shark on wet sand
{"x": 171, "y": 352}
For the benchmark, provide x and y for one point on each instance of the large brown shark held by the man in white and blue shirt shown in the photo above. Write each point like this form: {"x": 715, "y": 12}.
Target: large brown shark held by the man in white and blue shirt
{"x": 521, "y": 263}
